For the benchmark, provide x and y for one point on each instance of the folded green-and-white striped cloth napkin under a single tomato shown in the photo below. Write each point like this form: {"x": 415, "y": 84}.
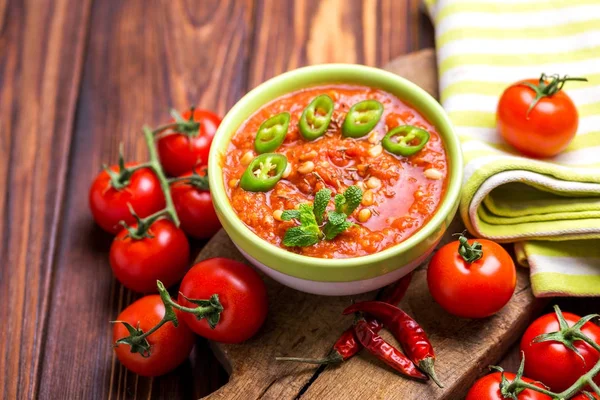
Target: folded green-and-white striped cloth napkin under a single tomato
{"x": 550, "y": 208}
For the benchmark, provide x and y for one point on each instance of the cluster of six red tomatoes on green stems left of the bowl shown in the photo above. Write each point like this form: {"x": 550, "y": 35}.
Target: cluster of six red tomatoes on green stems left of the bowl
{"x": 219, "y": 299}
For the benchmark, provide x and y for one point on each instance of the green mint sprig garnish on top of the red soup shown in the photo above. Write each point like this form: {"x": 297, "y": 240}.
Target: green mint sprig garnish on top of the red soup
{"x": 313, "y": 226}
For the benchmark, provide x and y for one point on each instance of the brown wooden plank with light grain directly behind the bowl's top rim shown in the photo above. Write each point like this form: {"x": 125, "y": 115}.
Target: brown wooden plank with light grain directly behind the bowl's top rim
{"x": 290, "y": 34}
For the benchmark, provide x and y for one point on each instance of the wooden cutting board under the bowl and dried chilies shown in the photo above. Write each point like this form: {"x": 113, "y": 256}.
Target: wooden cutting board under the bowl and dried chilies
{"x": 301, "y": 324}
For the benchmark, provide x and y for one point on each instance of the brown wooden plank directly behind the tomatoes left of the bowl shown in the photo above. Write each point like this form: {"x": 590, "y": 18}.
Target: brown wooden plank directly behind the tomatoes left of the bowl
{"x": 143, "y": 57}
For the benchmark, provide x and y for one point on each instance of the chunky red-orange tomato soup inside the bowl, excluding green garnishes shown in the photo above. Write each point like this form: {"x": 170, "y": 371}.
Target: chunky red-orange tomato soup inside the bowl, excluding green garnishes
{"x": 401, "y": 192}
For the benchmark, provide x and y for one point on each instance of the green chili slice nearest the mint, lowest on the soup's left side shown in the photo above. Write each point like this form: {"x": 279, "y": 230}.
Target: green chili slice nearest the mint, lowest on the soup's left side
{"x": 263, "y": 172}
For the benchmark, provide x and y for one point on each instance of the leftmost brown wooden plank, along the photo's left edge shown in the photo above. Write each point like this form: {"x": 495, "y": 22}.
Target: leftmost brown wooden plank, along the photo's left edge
{"x": 38, "y": 93}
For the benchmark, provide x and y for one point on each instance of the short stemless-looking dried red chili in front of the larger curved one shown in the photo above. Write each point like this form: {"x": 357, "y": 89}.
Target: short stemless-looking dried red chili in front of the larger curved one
{"x": 387, "y": 353}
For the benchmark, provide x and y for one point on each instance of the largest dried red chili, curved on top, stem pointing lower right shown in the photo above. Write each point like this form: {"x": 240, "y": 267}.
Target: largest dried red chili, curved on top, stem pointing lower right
{"x": 409, "y": 333}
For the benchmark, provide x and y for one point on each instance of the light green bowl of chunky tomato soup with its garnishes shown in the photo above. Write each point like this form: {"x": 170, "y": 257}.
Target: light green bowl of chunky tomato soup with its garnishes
{"x": 336, "y": 179}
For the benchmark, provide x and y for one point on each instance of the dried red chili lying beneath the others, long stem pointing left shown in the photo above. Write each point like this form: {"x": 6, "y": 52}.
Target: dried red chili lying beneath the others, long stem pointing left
{"x": 347, "y": 345}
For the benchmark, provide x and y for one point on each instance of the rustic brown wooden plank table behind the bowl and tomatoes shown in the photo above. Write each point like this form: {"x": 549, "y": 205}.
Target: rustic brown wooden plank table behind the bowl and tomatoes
{"x": 79, "y": 76}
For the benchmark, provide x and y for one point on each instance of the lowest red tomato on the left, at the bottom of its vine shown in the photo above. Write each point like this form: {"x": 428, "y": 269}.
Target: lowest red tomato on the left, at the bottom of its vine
{"x": 170, "y": 345}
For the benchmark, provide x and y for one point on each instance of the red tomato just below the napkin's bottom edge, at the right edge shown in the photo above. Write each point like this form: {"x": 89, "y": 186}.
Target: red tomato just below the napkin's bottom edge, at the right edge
{"x": 552, "y": 362}
